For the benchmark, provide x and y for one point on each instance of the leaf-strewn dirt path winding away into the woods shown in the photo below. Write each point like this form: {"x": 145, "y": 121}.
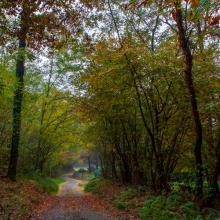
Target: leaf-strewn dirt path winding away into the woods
{"x": 73, "y": 204}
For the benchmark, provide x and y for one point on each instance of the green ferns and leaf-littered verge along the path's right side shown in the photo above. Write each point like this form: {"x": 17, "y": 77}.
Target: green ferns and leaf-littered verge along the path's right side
{"x": 178, "y": 204}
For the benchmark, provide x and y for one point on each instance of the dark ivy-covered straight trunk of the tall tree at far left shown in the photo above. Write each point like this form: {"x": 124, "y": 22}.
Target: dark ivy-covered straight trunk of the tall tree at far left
{"x": 16, "y": 126}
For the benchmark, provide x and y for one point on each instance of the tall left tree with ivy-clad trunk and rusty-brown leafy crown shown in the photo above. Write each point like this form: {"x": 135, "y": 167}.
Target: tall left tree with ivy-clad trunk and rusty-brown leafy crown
{"x": 38, "y": 24}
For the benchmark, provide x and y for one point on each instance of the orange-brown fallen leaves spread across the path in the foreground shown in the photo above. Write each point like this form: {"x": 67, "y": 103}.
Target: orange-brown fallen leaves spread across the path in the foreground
{"x": 63, "y": 205}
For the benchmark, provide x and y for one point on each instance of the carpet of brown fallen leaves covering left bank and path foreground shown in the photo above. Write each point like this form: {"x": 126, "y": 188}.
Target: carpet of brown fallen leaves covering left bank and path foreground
{"x": 25, "y": 200}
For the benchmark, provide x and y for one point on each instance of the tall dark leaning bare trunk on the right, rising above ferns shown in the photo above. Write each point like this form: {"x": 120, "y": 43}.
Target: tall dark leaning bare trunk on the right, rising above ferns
{"x": 189, "y": 82}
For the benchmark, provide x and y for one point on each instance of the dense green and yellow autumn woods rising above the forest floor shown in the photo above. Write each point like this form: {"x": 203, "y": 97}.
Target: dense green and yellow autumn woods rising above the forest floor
{"x": 136, "y": 82}
